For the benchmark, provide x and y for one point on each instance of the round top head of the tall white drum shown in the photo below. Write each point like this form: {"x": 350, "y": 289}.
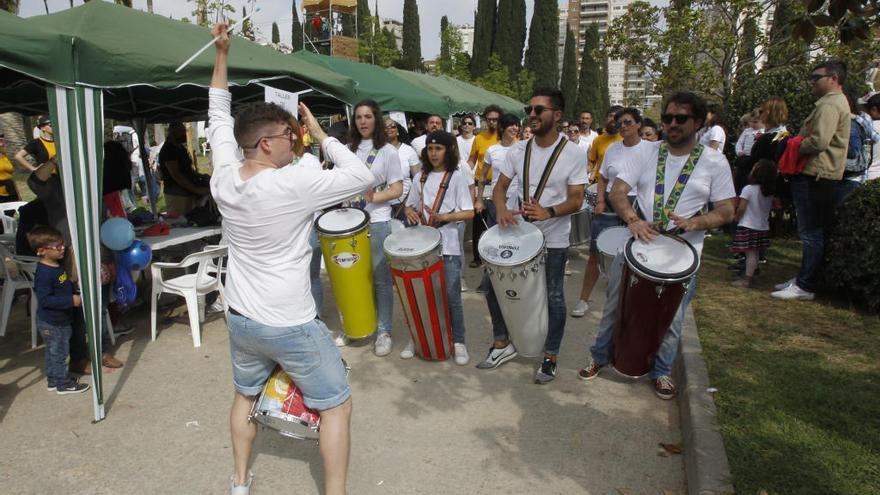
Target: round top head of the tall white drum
{"x": 511, "y": 246}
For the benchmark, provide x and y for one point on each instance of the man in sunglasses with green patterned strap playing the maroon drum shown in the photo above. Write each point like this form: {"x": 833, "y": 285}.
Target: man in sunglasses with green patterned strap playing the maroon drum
{"x": 697, "y": 175}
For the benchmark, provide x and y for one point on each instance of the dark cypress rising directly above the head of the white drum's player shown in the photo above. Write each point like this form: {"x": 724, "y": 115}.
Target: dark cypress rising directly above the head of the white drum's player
{"x": 542, "y": 55}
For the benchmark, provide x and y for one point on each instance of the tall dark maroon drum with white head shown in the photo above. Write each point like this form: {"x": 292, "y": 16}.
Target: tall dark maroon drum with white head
{"x": 654, "y": 280}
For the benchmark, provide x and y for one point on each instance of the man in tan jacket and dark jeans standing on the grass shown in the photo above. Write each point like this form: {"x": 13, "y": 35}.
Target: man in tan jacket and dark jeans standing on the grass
{"x": 825, "y": 136}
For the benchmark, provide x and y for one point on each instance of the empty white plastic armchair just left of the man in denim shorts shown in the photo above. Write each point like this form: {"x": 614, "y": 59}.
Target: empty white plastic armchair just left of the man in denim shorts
{"x": 192, "y": 286}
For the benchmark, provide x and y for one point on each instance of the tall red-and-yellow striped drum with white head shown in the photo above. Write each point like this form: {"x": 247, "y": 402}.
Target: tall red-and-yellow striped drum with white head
{"x": 416, "y": 262}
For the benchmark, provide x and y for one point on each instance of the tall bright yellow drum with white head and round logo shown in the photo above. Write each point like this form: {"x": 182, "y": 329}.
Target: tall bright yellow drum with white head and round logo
{"x": 345, "y": 243}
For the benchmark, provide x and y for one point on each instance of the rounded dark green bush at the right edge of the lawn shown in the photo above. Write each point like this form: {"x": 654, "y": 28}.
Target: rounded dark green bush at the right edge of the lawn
{"x": 854, "y": 246}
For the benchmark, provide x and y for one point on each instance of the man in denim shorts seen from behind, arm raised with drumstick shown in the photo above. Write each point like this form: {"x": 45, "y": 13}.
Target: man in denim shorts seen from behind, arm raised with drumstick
{"x": 268, "y": 207}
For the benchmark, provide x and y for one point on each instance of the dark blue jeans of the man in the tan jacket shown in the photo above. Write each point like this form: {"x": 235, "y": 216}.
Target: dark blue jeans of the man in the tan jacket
{"x": 814, "y": 204}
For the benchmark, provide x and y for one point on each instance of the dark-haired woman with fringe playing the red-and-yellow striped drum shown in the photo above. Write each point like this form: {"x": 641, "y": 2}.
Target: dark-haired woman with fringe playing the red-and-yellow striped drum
{"x": 439, "y": 165}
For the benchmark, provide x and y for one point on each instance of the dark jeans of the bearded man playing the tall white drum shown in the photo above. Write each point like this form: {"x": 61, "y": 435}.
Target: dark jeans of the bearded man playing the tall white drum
{"x": 554, "y": 266}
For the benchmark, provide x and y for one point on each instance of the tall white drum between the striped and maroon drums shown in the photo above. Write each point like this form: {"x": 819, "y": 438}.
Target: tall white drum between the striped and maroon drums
{"x": 514, "y": 260}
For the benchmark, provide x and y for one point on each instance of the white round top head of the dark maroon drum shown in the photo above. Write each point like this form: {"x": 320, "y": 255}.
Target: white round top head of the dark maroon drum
{"x": 667, "y": 257}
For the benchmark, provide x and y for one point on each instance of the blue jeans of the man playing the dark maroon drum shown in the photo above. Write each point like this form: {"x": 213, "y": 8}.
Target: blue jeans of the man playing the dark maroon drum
{"x": 602, "y": 349}
